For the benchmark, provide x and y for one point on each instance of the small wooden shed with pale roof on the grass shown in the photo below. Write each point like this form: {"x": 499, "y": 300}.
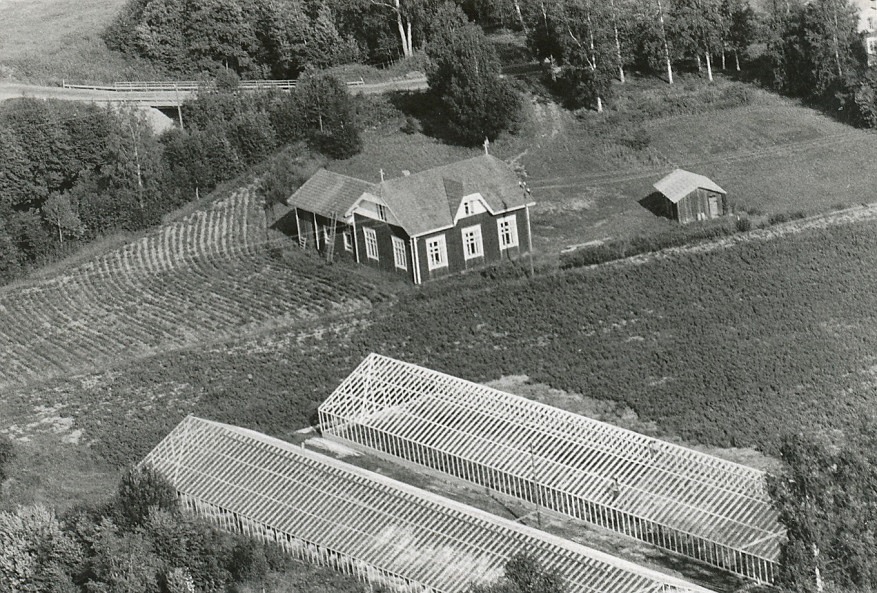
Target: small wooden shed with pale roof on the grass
{"x": 687, "y": 197}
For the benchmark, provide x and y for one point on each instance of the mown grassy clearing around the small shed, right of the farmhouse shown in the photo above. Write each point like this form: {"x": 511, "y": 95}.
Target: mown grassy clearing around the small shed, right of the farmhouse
{"x": 771, "y": 155}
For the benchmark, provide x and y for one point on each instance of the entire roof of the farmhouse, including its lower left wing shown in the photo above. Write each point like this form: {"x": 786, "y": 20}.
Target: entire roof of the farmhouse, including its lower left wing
{"x": 421, "y": 202}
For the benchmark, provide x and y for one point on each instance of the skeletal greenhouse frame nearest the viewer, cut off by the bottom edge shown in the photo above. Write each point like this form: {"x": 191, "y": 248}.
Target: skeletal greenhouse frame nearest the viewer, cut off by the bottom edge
{"x": 382, "y": 531}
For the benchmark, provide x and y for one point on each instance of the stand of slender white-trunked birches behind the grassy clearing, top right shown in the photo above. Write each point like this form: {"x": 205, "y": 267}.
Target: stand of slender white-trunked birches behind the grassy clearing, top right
{"x": 593, "y": 42}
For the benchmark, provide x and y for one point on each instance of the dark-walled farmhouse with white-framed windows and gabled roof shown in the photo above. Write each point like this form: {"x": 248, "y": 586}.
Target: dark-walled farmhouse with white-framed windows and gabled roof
{"x": 422, "y": 226}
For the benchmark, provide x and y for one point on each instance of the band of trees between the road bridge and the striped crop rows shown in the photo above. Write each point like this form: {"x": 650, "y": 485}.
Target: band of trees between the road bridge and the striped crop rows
{"x": 70, "y": 173}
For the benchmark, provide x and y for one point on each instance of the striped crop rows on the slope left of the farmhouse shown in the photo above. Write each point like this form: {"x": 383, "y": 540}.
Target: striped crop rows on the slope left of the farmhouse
{"x": 204, "y": 277}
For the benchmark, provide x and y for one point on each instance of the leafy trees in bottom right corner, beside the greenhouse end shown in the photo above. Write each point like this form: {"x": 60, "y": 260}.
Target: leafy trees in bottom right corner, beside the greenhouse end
{"x": 827, "y": 500}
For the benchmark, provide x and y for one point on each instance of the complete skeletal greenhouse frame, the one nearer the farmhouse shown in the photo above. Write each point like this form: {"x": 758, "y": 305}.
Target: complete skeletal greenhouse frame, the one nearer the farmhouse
{"x": 679, "y": 499}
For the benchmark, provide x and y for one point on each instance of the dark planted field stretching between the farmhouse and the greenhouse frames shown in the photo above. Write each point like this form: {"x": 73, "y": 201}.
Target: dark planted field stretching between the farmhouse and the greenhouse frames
{"x": 730, "y": 348}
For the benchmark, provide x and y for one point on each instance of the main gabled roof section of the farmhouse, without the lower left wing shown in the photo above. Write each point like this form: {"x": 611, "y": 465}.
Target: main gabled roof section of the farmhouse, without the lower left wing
{"x": 429, "y": 200}
